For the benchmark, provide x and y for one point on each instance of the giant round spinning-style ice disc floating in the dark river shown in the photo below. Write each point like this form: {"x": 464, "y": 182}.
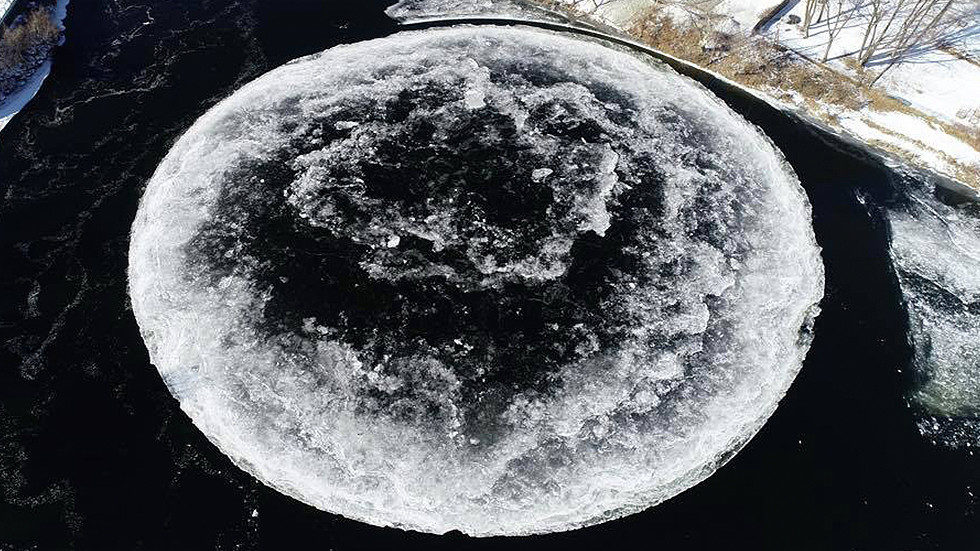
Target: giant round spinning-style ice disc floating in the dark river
{"x": 489, "y": 279}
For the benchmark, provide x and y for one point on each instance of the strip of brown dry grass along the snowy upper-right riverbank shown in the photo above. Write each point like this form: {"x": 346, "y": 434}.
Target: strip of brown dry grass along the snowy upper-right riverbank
{"x": 837, "y": 98}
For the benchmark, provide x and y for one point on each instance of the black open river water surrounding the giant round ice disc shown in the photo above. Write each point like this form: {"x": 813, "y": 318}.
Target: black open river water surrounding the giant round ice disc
{"x": 96, "y": 454}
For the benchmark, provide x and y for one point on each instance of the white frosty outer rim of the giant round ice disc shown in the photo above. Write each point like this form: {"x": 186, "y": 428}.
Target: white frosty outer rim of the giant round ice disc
{"x": 200, "y": 337}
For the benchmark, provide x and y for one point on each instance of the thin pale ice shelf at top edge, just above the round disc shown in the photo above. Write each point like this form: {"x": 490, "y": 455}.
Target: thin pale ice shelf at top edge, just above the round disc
{"x": 417, "y": 11}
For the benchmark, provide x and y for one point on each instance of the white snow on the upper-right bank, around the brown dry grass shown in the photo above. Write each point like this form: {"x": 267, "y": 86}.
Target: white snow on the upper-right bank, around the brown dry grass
{"x": 944, "y": 86}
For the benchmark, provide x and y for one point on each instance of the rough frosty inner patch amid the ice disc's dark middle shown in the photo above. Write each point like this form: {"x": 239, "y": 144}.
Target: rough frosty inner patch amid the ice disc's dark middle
{"x": 451, "y": 167}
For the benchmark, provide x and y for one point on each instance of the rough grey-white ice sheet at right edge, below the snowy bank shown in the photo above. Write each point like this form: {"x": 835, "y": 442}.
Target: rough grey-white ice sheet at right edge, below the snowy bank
{"x": 936, "y": 251}
